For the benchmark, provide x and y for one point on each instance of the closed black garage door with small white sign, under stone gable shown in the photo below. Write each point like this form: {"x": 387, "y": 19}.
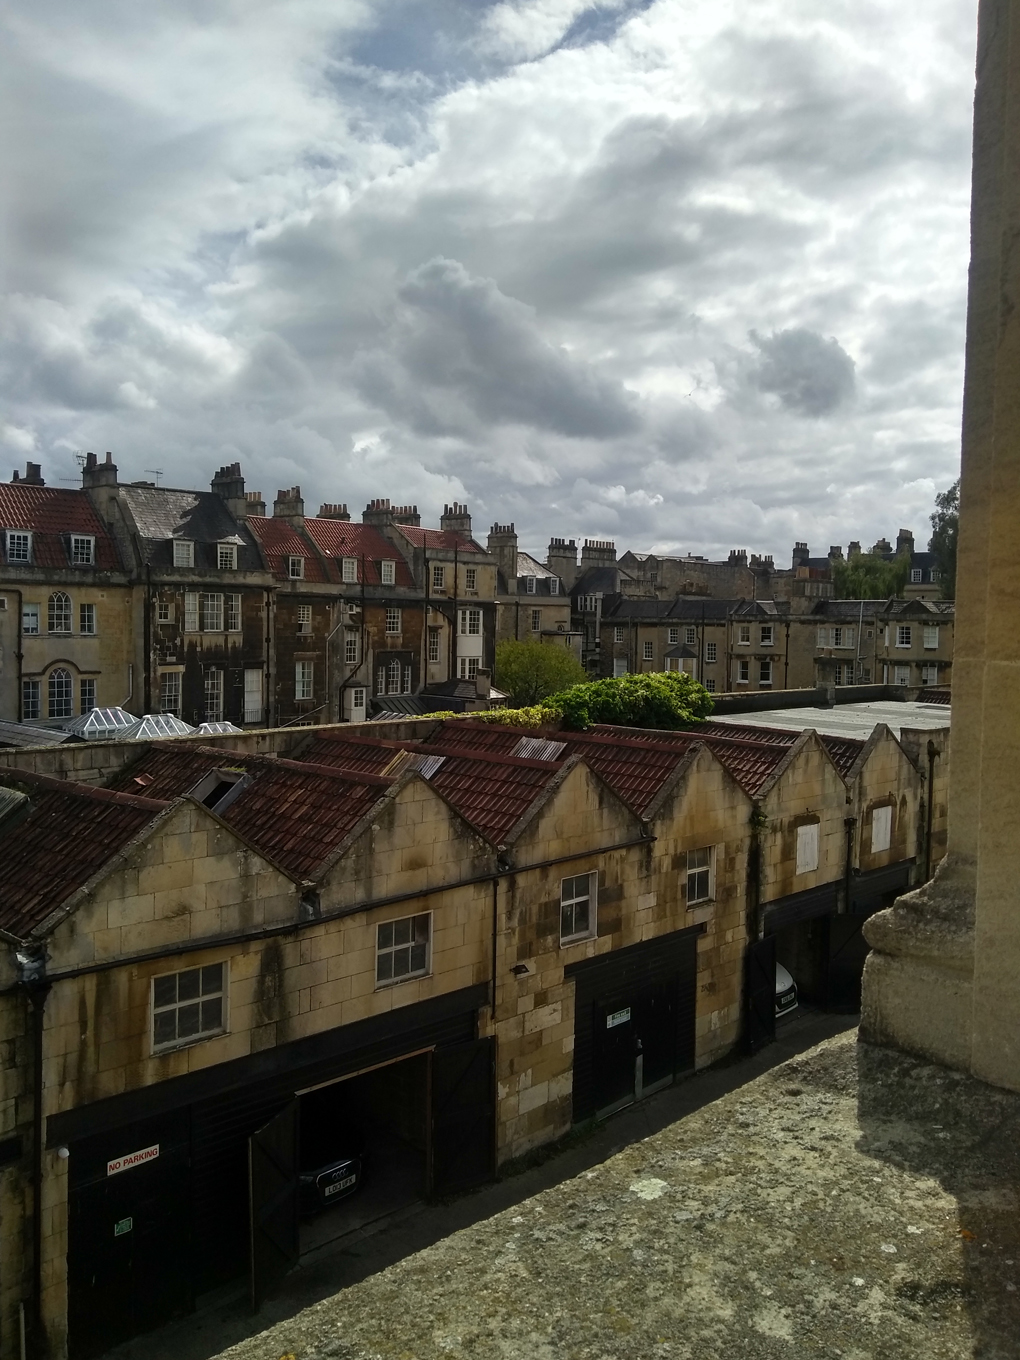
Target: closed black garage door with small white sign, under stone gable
{"x": 634, "y": 1021}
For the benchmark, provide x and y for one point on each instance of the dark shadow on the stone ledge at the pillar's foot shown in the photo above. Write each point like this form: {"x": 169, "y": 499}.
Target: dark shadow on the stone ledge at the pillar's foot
{"x": 947, "y": 1128}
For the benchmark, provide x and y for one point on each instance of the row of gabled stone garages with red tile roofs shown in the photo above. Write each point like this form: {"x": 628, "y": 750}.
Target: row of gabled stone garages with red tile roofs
{"x": 473, "y": 936}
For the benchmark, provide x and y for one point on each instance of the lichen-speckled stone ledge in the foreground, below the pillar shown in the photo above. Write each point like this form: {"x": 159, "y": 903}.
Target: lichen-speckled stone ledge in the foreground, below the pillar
{"x": 853, "y": 1204}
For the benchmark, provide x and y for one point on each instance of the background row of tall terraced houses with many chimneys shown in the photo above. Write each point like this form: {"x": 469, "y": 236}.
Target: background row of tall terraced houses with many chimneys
{"x": 205, "y": 607}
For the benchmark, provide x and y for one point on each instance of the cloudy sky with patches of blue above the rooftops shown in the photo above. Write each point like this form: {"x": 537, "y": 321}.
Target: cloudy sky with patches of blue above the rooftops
{"x": 689, "y": 274}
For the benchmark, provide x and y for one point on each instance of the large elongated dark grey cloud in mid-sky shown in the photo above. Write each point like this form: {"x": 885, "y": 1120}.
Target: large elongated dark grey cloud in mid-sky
{"x": 463, "y": 339}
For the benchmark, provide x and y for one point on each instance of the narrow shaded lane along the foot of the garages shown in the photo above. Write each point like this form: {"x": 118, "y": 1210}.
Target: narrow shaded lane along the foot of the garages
{"x": 228, "y": 1320}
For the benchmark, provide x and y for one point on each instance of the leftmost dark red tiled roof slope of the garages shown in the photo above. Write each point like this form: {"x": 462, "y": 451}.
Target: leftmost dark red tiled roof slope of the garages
{"x": 70, "y": 834}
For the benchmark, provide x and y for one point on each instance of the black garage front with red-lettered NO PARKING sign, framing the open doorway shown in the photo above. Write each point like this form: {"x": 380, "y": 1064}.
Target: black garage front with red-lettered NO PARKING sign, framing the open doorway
{"x": 148, "y": 1238}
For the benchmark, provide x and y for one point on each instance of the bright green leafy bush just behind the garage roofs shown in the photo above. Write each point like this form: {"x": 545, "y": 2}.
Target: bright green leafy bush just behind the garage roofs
{"x": 653, "y": 700}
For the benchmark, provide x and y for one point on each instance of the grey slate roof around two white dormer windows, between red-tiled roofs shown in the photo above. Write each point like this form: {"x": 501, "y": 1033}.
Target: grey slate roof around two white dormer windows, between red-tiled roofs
{"x": 164, "y": 513}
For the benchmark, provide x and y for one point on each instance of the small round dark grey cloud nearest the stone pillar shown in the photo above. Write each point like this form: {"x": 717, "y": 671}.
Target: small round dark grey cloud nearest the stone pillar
{"x": 810, "y": 375}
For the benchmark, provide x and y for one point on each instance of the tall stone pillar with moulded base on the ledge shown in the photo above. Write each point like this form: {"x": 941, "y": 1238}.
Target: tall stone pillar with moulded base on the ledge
{"x": 945, "y": 974}
